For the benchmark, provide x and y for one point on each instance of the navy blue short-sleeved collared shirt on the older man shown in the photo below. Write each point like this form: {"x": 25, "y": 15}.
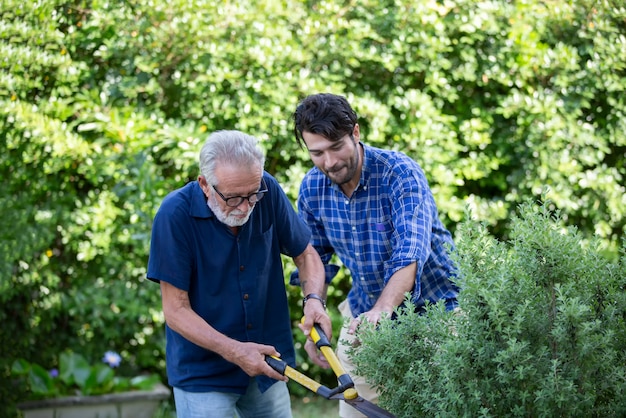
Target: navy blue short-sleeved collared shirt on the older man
{"x": 235, "y": 282}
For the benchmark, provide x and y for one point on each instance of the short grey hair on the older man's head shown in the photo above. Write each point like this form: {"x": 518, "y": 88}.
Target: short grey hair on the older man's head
{"x": 230, "y": 147}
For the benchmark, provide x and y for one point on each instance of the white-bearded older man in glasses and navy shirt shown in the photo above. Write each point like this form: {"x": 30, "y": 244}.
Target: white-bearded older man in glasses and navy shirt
{"x": 216, "y": 251}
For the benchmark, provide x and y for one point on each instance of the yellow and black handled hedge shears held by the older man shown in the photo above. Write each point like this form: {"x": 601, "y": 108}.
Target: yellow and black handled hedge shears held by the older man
{"x": 344, "y": 391}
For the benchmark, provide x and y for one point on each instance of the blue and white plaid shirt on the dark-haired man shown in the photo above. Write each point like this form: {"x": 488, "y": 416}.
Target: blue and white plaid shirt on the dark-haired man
{"x": 389, "y": 222}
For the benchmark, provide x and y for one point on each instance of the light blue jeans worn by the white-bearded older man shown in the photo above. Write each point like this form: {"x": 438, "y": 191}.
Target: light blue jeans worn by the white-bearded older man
{"x": 274, "y": 403}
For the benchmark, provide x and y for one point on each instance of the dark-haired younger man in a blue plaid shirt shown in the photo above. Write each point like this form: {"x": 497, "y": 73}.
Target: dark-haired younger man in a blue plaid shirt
{"x": 375, "y": 210}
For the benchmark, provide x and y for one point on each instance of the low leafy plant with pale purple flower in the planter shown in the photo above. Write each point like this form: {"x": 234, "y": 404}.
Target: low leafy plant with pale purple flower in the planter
{"x": 76, "y": 376}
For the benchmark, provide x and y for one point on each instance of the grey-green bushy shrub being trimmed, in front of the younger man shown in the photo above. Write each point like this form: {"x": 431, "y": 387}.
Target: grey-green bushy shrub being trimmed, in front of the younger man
{"x": 541, "y": 331}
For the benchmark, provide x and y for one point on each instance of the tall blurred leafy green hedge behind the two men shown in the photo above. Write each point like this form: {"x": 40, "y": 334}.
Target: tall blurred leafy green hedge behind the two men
{"x": 104, "y": 105}
